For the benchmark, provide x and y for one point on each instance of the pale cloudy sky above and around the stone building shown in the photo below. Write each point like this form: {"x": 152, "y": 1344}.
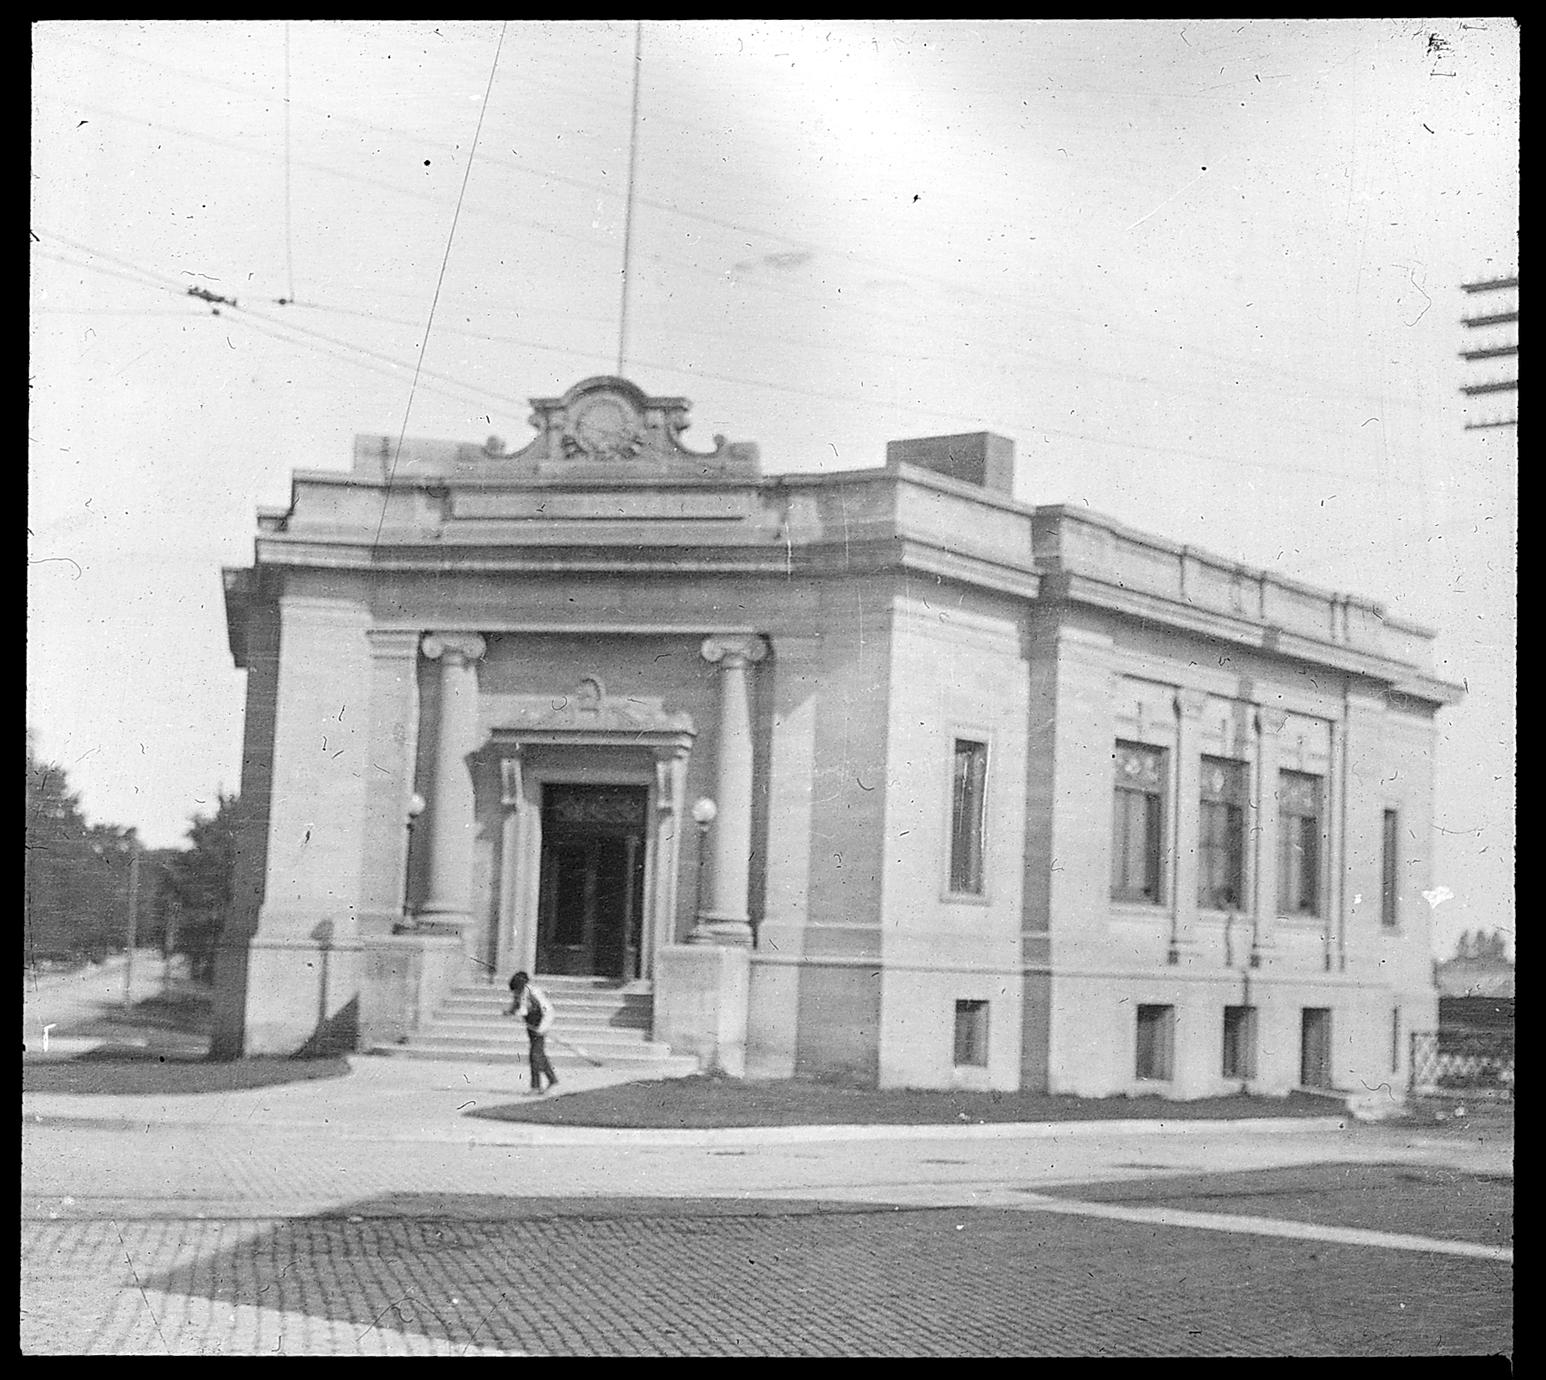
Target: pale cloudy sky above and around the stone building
{"x": 1207, "y": 276}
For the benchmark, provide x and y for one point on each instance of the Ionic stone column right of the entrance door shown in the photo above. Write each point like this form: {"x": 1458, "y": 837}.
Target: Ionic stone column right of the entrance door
{"x": 726, "y": 920}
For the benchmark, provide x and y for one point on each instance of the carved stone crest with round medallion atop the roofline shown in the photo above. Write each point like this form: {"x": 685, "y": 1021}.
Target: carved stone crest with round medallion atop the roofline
{"x": 610, "y": 429}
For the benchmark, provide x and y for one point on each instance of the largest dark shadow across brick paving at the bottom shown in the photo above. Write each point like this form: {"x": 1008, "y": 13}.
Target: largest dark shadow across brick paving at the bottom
{"x": 778, "y": 1279}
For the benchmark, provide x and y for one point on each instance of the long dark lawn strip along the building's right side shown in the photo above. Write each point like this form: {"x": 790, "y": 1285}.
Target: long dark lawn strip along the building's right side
{"x": 704, "y": 1103}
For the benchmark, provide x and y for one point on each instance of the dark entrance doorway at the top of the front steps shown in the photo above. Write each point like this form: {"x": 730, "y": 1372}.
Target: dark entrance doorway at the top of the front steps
{"x": 593, "y": 880}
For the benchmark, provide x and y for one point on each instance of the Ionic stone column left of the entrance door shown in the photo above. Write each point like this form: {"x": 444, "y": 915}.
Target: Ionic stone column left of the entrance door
{"x": 449, "y": 903}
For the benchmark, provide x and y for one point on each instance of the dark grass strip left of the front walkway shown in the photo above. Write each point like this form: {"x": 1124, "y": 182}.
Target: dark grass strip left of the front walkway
{"x": 128, "y": 1070}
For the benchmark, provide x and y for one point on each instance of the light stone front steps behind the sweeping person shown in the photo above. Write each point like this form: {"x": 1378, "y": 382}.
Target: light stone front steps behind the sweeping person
{"x": 598, "y": 1024}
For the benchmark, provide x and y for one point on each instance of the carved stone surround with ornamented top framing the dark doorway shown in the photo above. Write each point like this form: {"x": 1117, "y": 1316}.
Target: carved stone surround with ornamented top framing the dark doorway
{"x": 542, "y": 739}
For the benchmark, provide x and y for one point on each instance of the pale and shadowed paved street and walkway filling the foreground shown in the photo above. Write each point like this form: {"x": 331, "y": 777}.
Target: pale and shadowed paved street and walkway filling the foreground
{"x": 378, "y": 1214}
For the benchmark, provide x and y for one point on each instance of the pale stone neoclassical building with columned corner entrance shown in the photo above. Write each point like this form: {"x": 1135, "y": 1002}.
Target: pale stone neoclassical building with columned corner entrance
{"x": 1003, "y": 797}
